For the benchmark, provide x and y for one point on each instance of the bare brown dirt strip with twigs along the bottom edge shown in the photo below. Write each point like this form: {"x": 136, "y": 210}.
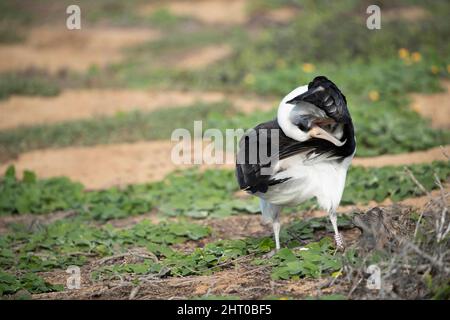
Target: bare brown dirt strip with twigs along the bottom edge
{"x": 241, "y": 279}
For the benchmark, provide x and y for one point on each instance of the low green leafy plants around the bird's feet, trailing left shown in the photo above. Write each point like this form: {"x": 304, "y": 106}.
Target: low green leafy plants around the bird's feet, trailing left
{"x": 313, "y": 260}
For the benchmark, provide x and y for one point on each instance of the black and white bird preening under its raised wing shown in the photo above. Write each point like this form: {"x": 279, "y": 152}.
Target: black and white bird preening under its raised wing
{"x": 314, "y": 148}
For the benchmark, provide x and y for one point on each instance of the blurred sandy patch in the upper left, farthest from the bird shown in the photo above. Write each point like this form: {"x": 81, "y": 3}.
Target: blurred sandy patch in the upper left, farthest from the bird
{"x": 57, "y": 48}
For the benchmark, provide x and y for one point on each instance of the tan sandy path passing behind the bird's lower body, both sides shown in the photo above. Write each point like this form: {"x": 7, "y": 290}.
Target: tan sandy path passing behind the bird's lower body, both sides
{"x": 121, "y": 164}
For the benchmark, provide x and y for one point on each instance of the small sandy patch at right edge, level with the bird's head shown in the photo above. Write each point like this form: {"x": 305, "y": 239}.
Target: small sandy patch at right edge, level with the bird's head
{"x": 435, "y": 107}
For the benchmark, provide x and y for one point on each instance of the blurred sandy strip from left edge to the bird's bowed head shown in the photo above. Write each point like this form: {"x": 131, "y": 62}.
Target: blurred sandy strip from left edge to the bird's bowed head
{"x": 81, "y": 104}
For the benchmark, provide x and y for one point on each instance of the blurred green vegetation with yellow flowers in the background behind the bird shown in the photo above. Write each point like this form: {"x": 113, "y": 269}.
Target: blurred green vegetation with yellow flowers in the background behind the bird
{"x": 376, "y": 69}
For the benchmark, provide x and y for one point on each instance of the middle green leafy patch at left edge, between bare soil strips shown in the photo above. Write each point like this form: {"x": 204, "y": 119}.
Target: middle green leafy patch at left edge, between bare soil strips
{"x": 72, "y": 242}
